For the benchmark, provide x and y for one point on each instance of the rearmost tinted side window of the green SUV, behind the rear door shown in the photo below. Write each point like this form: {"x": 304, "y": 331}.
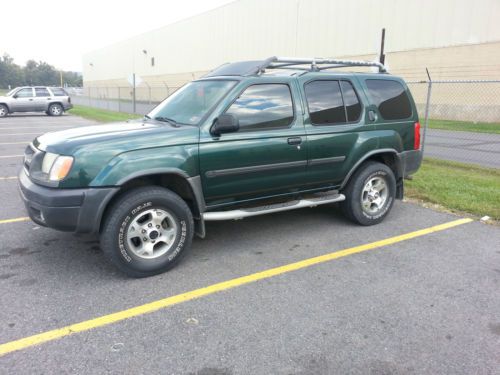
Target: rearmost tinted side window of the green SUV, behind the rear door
{"x": 390, "y": 97}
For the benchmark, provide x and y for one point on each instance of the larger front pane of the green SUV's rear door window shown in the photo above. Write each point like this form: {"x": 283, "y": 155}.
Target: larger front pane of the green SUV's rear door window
{"x": 324, "y": 100}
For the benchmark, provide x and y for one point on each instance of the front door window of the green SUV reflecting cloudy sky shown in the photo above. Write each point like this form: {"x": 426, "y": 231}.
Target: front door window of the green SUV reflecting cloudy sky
{"x": 264, "y": 106}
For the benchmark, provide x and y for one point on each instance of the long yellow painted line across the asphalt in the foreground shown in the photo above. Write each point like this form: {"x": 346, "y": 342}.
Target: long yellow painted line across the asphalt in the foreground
{"x": 147, "y": 308}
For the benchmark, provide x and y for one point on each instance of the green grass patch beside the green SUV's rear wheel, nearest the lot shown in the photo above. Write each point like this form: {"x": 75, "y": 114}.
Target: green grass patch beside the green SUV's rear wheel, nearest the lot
{"x": 458, "y": 187}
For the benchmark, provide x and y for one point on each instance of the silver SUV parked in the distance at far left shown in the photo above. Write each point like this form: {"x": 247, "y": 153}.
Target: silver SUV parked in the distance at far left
{"x": 51, "y": 100}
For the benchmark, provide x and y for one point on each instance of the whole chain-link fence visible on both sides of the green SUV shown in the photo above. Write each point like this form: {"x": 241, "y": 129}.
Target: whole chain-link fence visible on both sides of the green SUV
{"x": 463, "y": 116}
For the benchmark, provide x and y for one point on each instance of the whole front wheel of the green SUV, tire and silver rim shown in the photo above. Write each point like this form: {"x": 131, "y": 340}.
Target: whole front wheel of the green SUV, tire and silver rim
{"x": 147, "y": 231}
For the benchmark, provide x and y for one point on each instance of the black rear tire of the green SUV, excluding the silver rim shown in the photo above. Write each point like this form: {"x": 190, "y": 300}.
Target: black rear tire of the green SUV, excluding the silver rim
{"x": 352, "y": 207}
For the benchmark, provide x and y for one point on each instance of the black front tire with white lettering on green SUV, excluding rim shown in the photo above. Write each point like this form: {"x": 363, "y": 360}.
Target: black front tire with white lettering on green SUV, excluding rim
{"x": 114, "y": 240}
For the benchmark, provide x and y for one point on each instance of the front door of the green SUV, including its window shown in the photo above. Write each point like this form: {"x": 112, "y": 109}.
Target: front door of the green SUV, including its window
{"x": 267, "y": 156}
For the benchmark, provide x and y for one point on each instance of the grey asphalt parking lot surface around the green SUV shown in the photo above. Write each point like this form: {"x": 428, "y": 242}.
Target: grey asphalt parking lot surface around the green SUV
{"x": 424, "y": 304}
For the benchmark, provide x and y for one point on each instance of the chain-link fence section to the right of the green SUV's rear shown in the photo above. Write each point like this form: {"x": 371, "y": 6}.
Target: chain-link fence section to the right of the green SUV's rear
{"x": 463, "y": 120}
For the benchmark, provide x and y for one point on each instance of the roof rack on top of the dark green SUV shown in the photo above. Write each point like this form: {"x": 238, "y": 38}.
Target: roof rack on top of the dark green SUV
{"x": 249, "y": 68}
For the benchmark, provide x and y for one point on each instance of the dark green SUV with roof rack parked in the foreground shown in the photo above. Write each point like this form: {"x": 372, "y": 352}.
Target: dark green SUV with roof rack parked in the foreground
{"x": 249, "y": 138}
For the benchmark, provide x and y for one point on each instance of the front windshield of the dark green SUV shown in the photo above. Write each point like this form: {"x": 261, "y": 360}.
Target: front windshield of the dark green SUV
{"x": 192, "y": 102}
